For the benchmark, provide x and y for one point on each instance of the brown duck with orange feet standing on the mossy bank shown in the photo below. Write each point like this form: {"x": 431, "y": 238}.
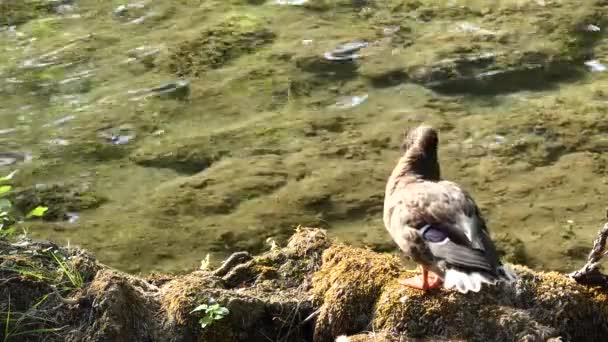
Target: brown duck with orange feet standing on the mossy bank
{"x": 436, "y": 223}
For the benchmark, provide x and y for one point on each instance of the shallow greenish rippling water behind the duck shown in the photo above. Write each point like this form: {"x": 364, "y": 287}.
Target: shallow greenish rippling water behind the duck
{"x": 250, "y": 144}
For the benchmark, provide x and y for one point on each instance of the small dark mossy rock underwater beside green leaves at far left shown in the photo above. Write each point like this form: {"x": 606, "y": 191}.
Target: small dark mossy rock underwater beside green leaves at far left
{"x": 59, "y": 198}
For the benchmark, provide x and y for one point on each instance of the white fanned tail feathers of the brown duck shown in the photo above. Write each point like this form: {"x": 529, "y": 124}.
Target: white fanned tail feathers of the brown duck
{"x": 464, "y": 281}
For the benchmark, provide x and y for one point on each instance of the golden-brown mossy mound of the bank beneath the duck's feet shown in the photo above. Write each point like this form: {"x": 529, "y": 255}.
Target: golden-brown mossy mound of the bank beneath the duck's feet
{"x": 359, "y": 292}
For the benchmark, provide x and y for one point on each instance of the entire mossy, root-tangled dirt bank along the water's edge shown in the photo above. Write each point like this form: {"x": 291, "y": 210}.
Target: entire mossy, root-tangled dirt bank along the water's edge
{"x": 309, "y": 290}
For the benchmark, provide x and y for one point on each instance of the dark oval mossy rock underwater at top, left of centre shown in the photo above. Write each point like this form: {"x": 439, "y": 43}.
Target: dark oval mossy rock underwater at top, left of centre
{"x": 214, "y": 47}
